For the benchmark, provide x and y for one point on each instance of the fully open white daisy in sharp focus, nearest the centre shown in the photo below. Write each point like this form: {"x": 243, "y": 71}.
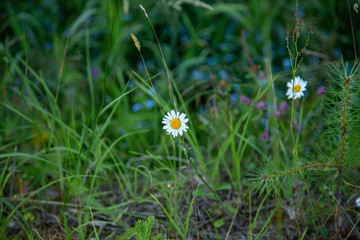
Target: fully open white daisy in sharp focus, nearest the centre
{"x": 175, "y": 123}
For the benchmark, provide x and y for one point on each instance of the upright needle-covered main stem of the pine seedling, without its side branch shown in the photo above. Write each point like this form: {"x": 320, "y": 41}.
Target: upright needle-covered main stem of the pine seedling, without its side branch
{"x": 343, "y": 122}
